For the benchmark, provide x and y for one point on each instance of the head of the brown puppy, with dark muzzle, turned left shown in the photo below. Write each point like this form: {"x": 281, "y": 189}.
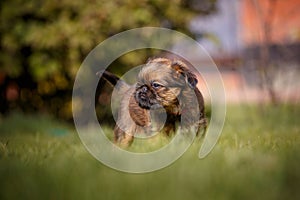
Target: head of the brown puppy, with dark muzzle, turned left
{"x": 161, "y": 81}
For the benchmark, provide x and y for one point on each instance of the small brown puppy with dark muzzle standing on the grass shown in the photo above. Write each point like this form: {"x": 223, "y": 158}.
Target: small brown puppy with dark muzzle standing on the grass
{"x": 165, "y": 91}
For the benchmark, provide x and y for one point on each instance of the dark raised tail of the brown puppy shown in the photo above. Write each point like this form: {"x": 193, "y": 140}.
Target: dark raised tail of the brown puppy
{"x": 114, "y": 80}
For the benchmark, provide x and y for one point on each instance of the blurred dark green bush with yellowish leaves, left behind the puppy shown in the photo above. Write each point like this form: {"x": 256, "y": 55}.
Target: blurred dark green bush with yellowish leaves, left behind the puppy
{"x": 43, "y": 41}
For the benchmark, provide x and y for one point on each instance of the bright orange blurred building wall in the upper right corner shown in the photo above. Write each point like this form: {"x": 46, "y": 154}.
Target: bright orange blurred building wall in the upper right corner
{"x": 279, "y": 18}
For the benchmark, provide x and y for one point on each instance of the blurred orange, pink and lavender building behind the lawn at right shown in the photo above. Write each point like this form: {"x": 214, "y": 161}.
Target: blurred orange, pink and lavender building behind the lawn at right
{"x": 241, "y": 29}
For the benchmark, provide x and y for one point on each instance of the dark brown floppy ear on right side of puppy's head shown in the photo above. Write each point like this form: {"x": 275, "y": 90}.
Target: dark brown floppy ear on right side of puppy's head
{"x": 182, "y": 70}
